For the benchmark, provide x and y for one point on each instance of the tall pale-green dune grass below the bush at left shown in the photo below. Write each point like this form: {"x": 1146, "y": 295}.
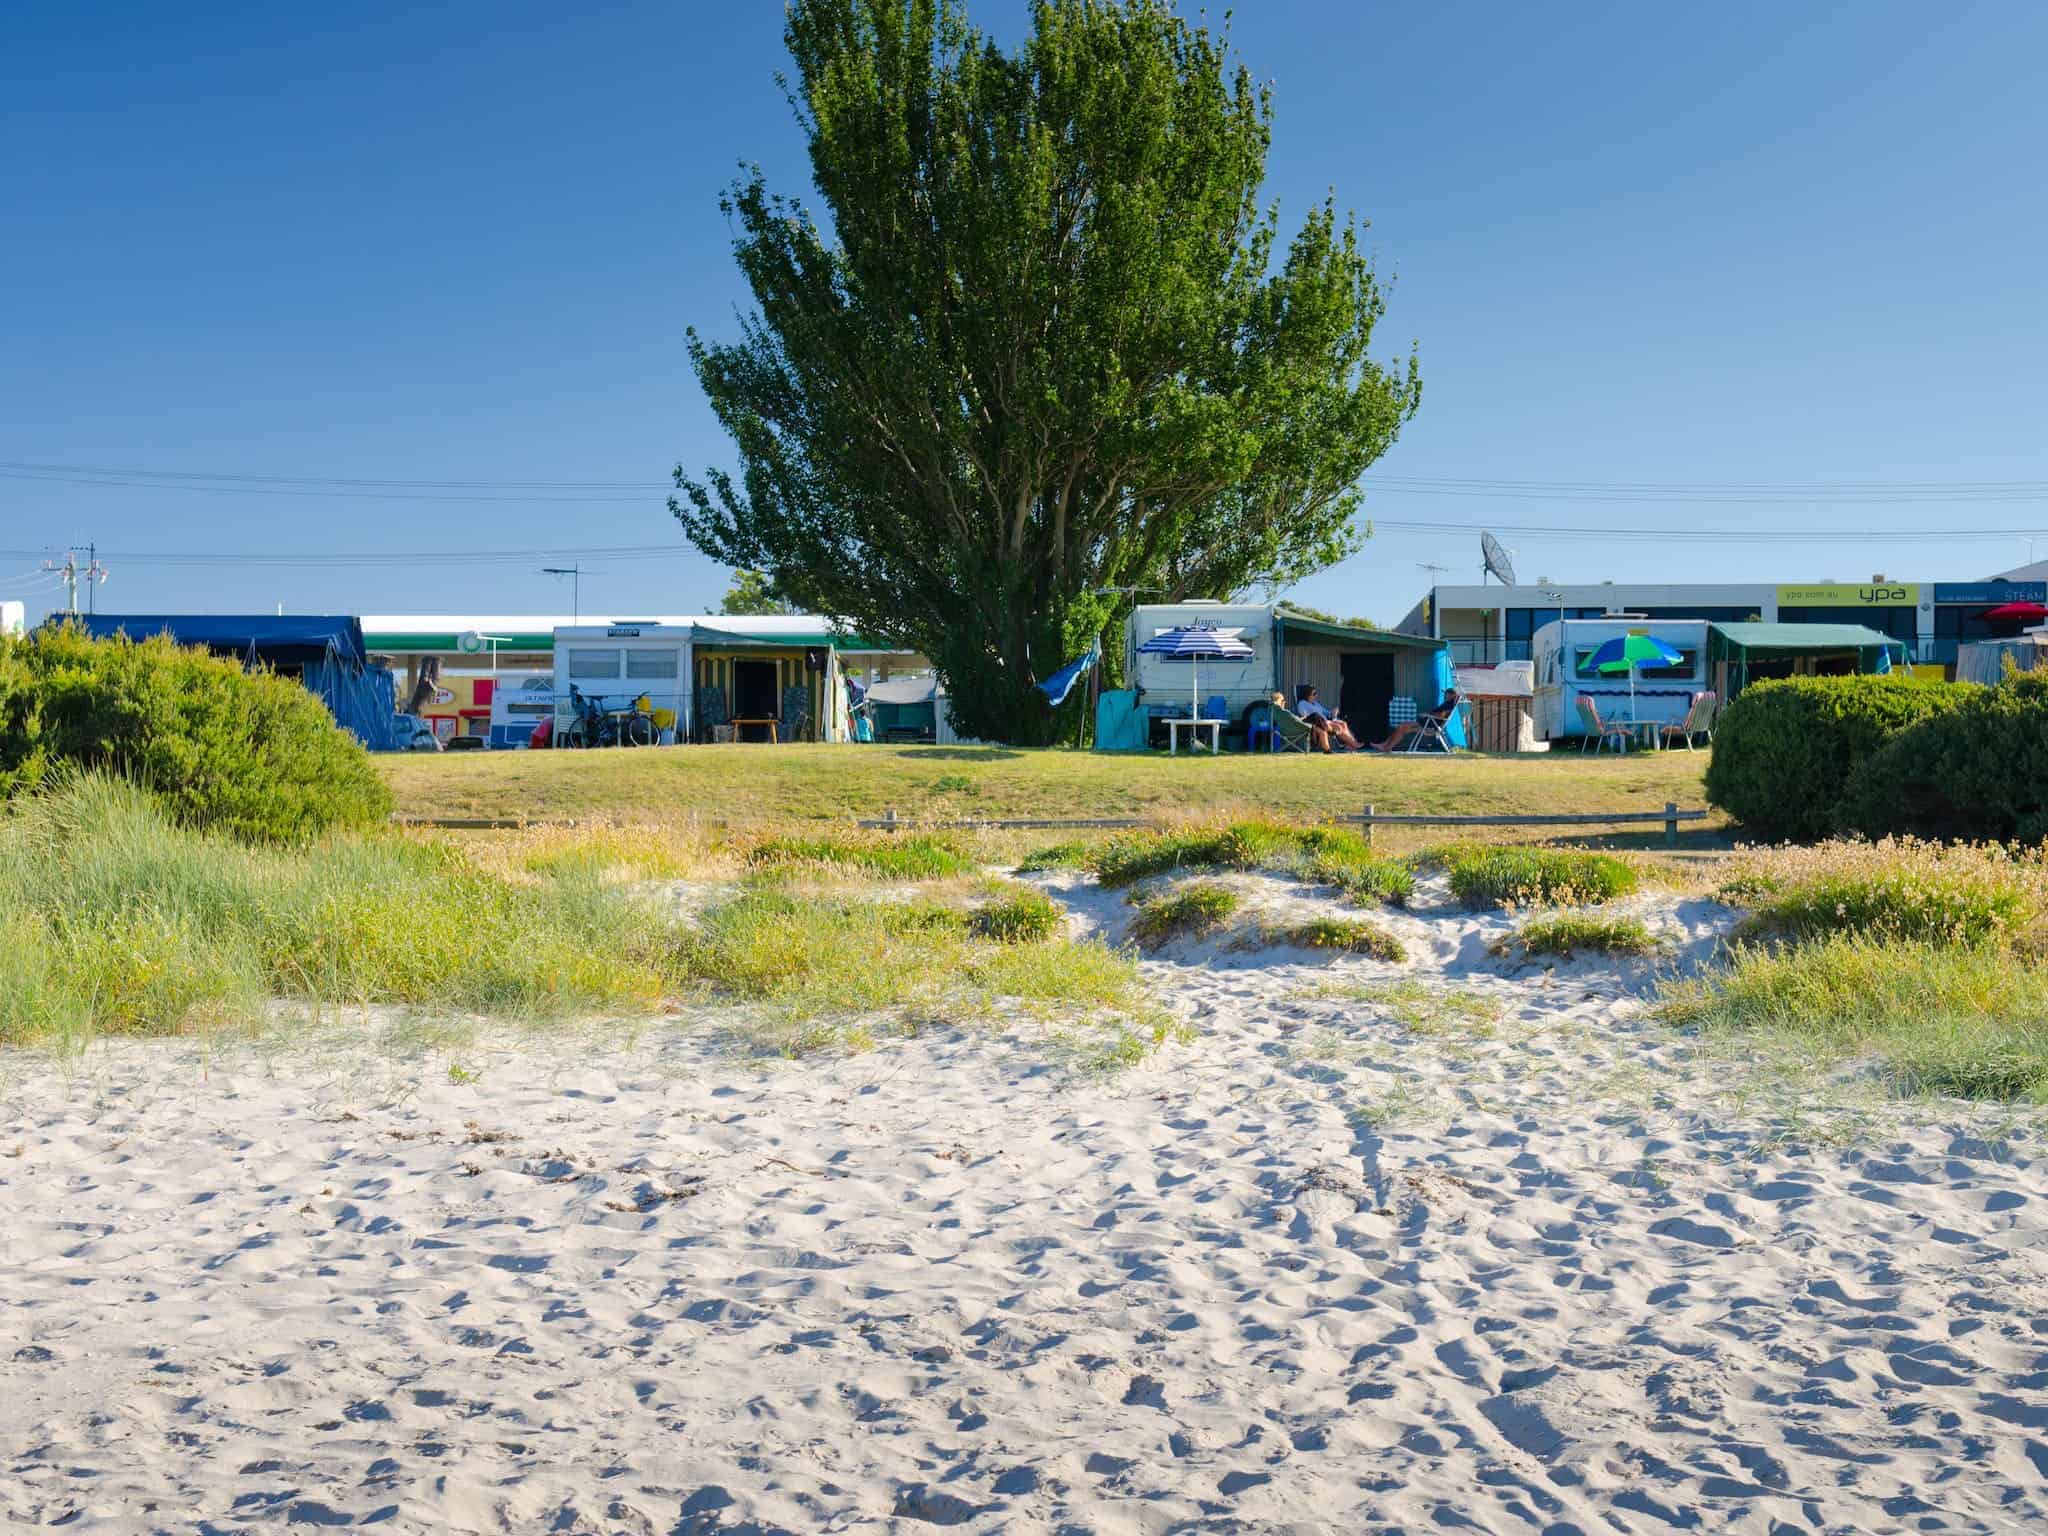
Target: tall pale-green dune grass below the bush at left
{"x": 118, "y": 923}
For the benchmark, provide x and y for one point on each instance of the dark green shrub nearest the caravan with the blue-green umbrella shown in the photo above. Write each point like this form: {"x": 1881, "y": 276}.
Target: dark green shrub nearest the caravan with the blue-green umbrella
{"x": 1787, "y": 751}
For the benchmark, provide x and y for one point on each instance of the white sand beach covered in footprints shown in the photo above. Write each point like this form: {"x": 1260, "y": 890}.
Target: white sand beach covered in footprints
{"x": 1381, "y": 1263}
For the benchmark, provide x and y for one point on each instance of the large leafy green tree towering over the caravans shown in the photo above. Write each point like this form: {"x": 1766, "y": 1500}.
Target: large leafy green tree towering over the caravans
{"x": 1052, "y": 351}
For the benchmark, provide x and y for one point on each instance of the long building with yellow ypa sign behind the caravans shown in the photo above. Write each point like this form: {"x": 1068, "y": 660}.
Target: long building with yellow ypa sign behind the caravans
{"x": 1496, "y": 624}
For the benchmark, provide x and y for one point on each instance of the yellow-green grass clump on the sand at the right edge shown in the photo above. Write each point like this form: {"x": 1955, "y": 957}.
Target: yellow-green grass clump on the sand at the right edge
{"x": 1959, "y": 1021}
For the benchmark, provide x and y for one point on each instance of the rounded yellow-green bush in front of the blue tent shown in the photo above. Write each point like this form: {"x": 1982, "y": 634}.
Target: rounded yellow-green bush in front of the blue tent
{"x": 251, "y": 755}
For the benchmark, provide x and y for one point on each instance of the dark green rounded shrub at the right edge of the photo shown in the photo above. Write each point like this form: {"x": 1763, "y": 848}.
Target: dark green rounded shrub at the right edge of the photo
{"x": 1975, "y": 773}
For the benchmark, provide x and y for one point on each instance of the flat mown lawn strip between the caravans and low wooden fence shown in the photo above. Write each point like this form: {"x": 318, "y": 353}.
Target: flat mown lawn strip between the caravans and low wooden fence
{"x": 765, "y": 785}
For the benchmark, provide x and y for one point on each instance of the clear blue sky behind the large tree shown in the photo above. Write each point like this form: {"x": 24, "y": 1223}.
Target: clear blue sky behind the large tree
{"x": 460, "y": 243}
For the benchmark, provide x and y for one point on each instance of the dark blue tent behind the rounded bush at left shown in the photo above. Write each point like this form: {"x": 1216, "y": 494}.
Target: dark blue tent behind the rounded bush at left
{"x": 325, "y": 650}
